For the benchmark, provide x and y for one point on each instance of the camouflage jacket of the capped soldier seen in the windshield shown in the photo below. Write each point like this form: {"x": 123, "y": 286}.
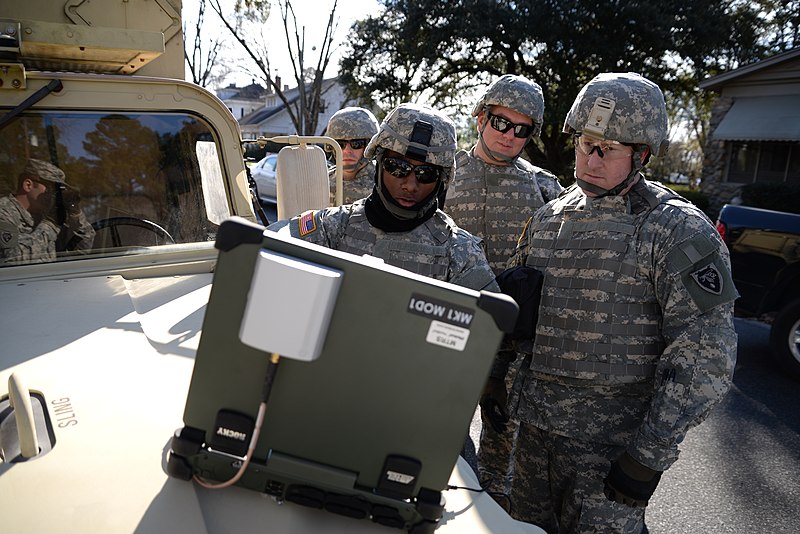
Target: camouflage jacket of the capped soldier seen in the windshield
{"x": 24, "y": 241}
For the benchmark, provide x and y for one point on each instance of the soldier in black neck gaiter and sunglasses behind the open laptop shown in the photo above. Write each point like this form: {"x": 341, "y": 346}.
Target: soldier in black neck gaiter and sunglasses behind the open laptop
{"x": 399, "y": 221}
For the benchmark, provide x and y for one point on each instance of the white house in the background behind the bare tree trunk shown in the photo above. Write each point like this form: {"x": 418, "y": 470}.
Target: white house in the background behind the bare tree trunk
{"x": 272, "y": 118}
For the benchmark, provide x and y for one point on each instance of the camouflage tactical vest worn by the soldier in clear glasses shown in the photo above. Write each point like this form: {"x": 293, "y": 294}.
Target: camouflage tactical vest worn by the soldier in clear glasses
{"x": 599, "y": 318}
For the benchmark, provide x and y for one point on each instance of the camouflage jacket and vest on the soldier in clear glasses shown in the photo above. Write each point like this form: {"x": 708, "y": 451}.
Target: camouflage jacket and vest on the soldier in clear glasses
{"x": 635, "y": 341}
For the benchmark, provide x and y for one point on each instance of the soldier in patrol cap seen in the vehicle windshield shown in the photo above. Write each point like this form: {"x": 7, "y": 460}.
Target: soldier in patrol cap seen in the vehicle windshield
{"x": 41, "y": 217}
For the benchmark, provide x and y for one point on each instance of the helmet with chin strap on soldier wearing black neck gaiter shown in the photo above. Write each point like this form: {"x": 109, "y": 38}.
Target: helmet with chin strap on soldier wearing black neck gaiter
{"x": 423, "y": 134}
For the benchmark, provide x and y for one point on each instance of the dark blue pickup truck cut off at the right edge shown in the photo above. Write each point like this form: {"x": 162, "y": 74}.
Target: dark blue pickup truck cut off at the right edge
{"x": 765, "y": 260}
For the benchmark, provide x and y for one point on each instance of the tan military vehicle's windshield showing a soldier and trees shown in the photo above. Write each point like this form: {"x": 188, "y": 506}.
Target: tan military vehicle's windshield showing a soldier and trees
{"x": 76, "y": 184}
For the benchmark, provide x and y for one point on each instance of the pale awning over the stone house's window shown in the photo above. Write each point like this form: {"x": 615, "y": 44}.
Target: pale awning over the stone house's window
{"x": 761, "y": 118}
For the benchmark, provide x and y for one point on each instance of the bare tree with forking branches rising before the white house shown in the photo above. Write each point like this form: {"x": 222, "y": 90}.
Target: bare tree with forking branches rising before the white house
{"x": 304, "y": 111}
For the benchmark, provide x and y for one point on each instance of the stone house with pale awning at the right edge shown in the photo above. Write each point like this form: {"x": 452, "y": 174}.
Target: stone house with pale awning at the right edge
{"x": 755, "y": 127}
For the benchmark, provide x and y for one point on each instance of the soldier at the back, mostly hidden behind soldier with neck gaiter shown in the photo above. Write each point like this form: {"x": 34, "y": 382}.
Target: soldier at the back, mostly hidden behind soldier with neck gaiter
{"x": 352, "y": 128}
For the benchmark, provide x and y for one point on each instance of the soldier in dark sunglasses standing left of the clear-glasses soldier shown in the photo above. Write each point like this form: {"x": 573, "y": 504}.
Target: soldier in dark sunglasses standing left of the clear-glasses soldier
{"x": 492, "y": 195}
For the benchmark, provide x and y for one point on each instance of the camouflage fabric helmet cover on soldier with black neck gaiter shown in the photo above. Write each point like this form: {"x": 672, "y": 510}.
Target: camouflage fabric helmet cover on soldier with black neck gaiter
{"x": 395, "y": 133}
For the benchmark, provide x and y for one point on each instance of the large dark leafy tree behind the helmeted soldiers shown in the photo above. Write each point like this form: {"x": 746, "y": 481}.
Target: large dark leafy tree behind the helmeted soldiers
{"x": 418, "y": 47}
